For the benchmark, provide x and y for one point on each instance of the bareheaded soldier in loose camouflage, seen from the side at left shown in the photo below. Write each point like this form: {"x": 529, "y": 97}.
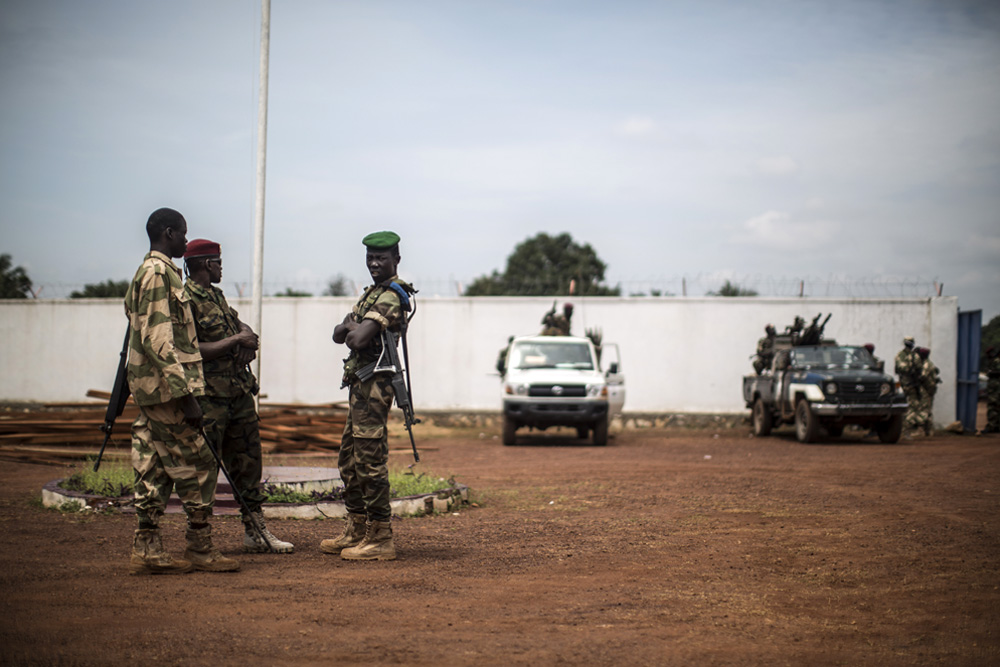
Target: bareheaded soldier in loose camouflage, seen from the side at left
{"x": 165, "y": 378}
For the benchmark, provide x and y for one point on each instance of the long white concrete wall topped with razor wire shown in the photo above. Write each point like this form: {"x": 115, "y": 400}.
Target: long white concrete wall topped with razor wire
{"x": 679, "y": 354}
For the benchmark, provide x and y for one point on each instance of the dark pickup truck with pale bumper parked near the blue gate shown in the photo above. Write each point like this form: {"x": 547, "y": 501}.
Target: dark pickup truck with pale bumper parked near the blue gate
{"x": 825, "y": 385}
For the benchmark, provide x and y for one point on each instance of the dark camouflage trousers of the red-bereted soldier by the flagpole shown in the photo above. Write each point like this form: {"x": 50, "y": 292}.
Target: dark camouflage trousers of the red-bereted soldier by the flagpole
{"x": 233, "y": 427}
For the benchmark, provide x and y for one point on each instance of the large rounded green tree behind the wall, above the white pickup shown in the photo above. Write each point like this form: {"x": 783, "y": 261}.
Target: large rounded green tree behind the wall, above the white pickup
{"x": 545, "y": 265}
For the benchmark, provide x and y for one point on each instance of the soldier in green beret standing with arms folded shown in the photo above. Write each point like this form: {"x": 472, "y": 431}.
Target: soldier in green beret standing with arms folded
{"x": 364, "y": 449}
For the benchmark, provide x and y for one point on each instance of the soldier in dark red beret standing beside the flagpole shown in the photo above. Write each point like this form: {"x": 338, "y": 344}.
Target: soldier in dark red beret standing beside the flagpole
{"x": 230, "y": 414}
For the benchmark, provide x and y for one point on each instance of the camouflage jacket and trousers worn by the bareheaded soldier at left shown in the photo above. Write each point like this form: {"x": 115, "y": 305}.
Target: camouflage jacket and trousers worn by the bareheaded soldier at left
{"x": 164, "y": 366}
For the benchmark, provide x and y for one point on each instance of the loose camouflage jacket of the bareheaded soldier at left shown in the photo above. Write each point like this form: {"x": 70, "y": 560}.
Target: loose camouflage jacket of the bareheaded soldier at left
{"x": 163, "y": 362}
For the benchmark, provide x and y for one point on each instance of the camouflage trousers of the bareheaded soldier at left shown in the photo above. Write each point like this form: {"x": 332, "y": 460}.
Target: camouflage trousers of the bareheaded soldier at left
{"x": 168, "y": 455}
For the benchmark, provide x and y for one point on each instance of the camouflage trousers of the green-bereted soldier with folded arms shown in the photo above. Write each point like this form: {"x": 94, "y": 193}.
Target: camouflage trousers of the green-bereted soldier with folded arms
{"x": 364, "y": 449}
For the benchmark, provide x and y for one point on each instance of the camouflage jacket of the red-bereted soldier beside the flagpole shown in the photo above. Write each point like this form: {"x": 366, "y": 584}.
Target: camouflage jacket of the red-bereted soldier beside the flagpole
{"x": 214, "y": 320}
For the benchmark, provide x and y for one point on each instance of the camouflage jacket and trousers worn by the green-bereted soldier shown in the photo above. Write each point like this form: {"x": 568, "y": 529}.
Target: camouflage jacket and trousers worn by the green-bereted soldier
{"x": 364, "y": 447}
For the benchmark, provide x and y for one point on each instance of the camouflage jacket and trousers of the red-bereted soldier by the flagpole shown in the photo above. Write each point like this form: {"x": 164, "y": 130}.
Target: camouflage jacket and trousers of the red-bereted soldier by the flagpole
{"x": 229, "y": 413}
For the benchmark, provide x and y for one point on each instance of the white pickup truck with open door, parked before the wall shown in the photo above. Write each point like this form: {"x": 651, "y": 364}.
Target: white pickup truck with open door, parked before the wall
{"x": 559, "y": 381}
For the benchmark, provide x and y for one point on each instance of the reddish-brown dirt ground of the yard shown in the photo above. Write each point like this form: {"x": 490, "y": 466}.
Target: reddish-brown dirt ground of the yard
{"x": 664, "y": 548}
